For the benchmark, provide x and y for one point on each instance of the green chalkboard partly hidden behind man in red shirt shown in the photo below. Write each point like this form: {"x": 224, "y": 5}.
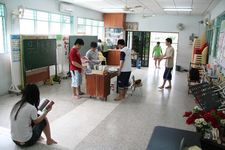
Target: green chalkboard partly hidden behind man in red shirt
{"x": 87, "y": 41}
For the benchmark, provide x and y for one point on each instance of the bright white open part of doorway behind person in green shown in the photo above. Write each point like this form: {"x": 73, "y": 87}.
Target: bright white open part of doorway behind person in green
{"x": 160, "y": 37}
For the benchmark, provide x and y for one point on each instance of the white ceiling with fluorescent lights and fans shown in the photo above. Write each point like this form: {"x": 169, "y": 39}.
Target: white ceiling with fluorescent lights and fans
{"x": 149, "y": 7}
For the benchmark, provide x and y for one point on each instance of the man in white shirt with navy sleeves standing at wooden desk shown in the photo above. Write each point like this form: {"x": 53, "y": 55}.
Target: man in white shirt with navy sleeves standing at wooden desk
{"x": 124, "y": 70}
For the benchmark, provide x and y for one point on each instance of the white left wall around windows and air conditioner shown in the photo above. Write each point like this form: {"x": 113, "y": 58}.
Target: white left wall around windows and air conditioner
{"x": 13, "y": 28}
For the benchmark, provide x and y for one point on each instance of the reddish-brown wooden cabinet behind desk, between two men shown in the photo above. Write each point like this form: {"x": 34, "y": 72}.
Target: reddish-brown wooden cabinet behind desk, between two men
{"x": 113, "y": 57}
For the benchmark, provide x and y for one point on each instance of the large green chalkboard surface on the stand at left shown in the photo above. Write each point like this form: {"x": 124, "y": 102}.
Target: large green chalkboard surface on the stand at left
{"x": 39, "y": 53}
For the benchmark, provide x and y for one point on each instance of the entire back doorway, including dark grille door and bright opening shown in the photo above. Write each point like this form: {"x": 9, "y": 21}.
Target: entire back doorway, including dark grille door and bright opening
{"x": 142, "y": 43}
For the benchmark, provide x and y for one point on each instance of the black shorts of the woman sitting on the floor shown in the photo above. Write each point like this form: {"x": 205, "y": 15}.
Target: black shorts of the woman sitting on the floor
{"x": 37, "y": 130}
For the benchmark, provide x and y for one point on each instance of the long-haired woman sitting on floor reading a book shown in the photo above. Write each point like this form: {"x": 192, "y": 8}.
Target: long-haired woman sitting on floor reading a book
{"x": 26, "y": 125}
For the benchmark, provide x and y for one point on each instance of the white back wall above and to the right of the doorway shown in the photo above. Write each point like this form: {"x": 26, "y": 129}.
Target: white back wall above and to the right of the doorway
{"x": 169, "y": 24}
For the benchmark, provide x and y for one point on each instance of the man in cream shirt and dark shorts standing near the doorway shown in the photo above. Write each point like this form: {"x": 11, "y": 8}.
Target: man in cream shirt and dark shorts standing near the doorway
{"x": 169, "y": 56}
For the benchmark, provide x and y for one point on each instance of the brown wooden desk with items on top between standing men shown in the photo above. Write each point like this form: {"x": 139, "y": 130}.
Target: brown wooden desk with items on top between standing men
{"x": 98, "y": 85}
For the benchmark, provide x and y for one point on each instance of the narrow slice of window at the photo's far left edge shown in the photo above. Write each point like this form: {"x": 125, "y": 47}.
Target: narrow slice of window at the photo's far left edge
{"x": 2, "y": 29}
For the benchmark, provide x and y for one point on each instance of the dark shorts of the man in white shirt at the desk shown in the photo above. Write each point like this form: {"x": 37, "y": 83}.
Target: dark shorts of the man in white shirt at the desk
{"x": 123, "y": 80}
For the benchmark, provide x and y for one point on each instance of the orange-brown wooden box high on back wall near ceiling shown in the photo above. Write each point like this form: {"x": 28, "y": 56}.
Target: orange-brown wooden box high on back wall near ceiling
{"x": 114, "y": 20}
